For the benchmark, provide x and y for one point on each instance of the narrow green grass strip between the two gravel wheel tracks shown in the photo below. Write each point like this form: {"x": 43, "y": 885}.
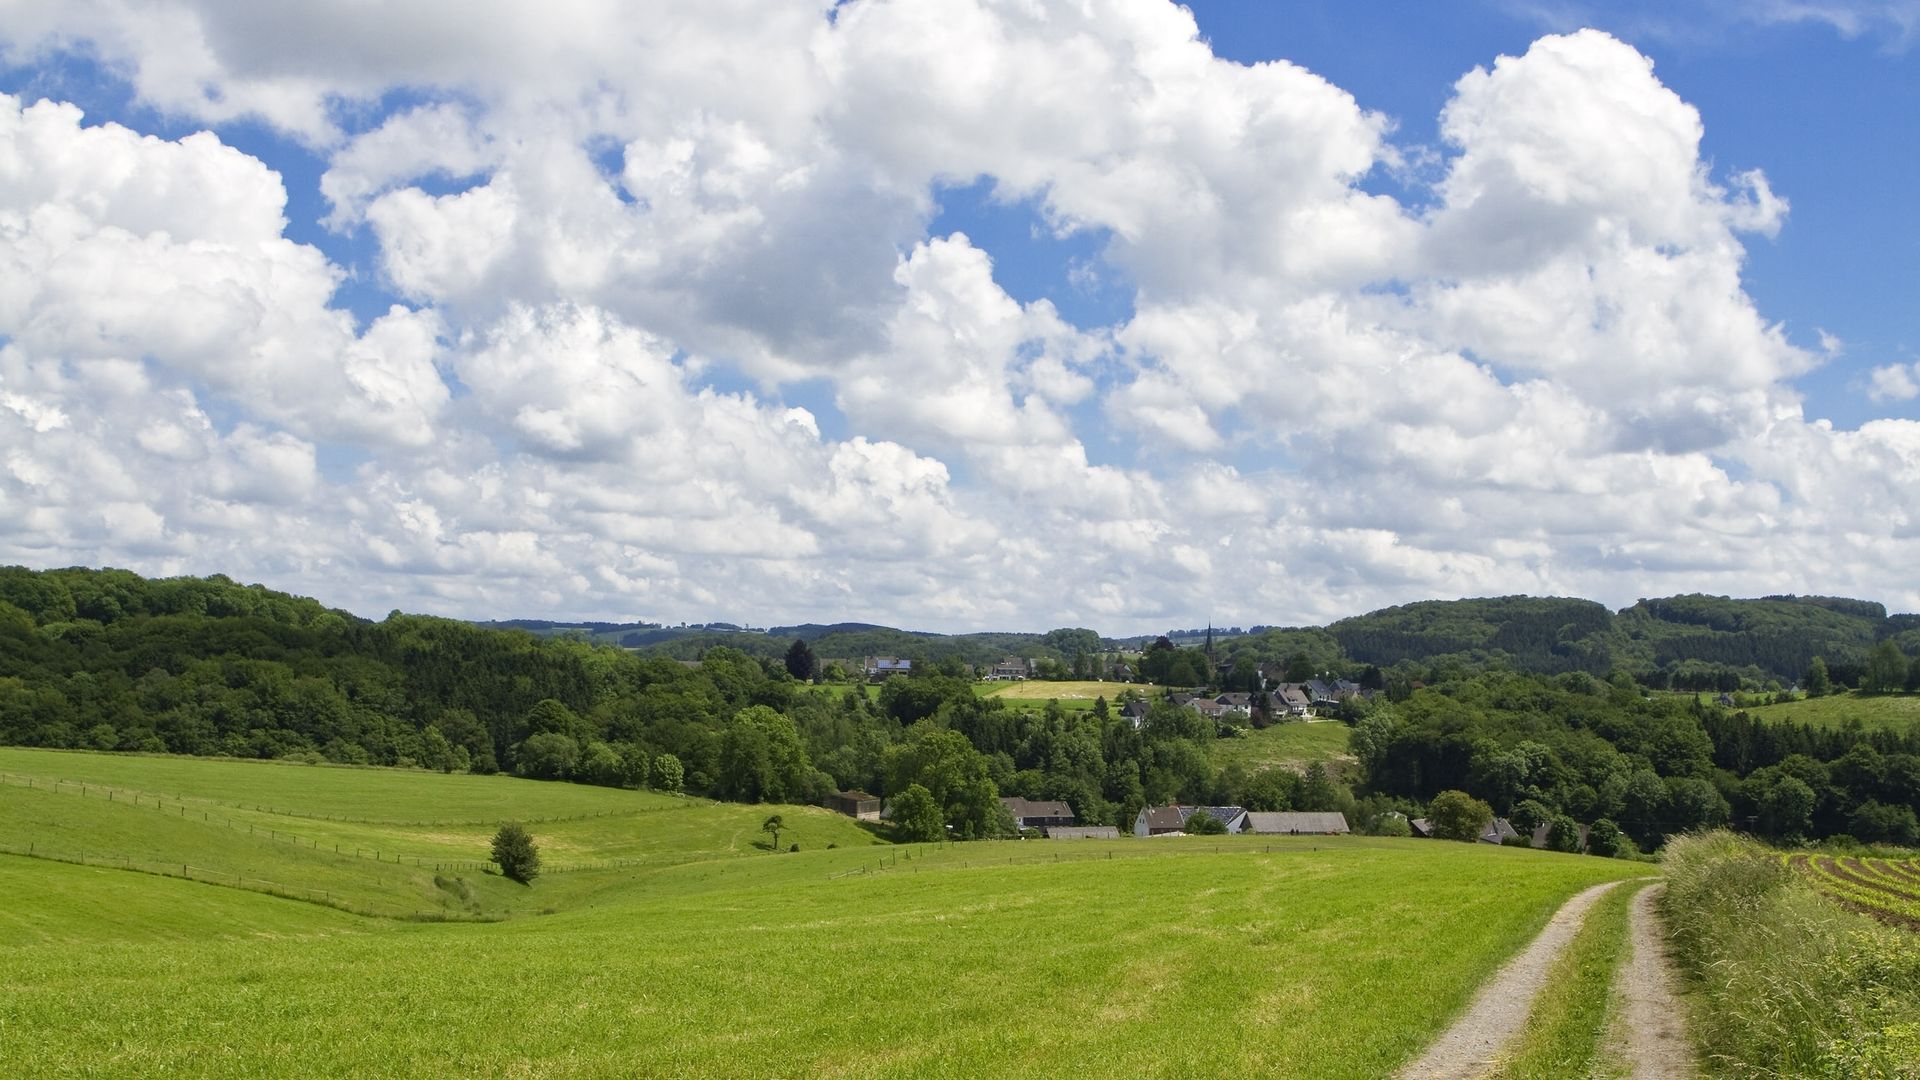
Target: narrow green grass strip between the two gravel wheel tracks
{"x": 1566, "y": 1031}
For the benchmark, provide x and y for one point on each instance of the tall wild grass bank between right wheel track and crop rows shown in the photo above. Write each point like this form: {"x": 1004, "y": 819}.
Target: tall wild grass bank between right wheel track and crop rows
{"x": 1790, "y": 985}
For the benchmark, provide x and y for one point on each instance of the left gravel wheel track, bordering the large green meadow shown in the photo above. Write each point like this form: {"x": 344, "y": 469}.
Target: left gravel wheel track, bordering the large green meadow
{"x": 1502, "y": 1006}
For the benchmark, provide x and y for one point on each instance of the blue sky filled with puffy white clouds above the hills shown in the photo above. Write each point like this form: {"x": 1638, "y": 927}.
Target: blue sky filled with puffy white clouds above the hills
{"x": 569, "y": 318}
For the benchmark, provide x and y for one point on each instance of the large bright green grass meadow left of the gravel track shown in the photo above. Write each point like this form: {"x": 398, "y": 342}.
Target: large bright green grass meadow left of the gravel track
{"x": 669, "y": 941}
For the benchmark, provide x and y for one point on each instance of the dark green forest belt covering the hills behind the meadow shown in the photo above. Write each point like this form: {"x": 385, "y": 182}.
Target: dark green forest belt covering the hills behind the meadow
{"x": 1548, "y": 710}
